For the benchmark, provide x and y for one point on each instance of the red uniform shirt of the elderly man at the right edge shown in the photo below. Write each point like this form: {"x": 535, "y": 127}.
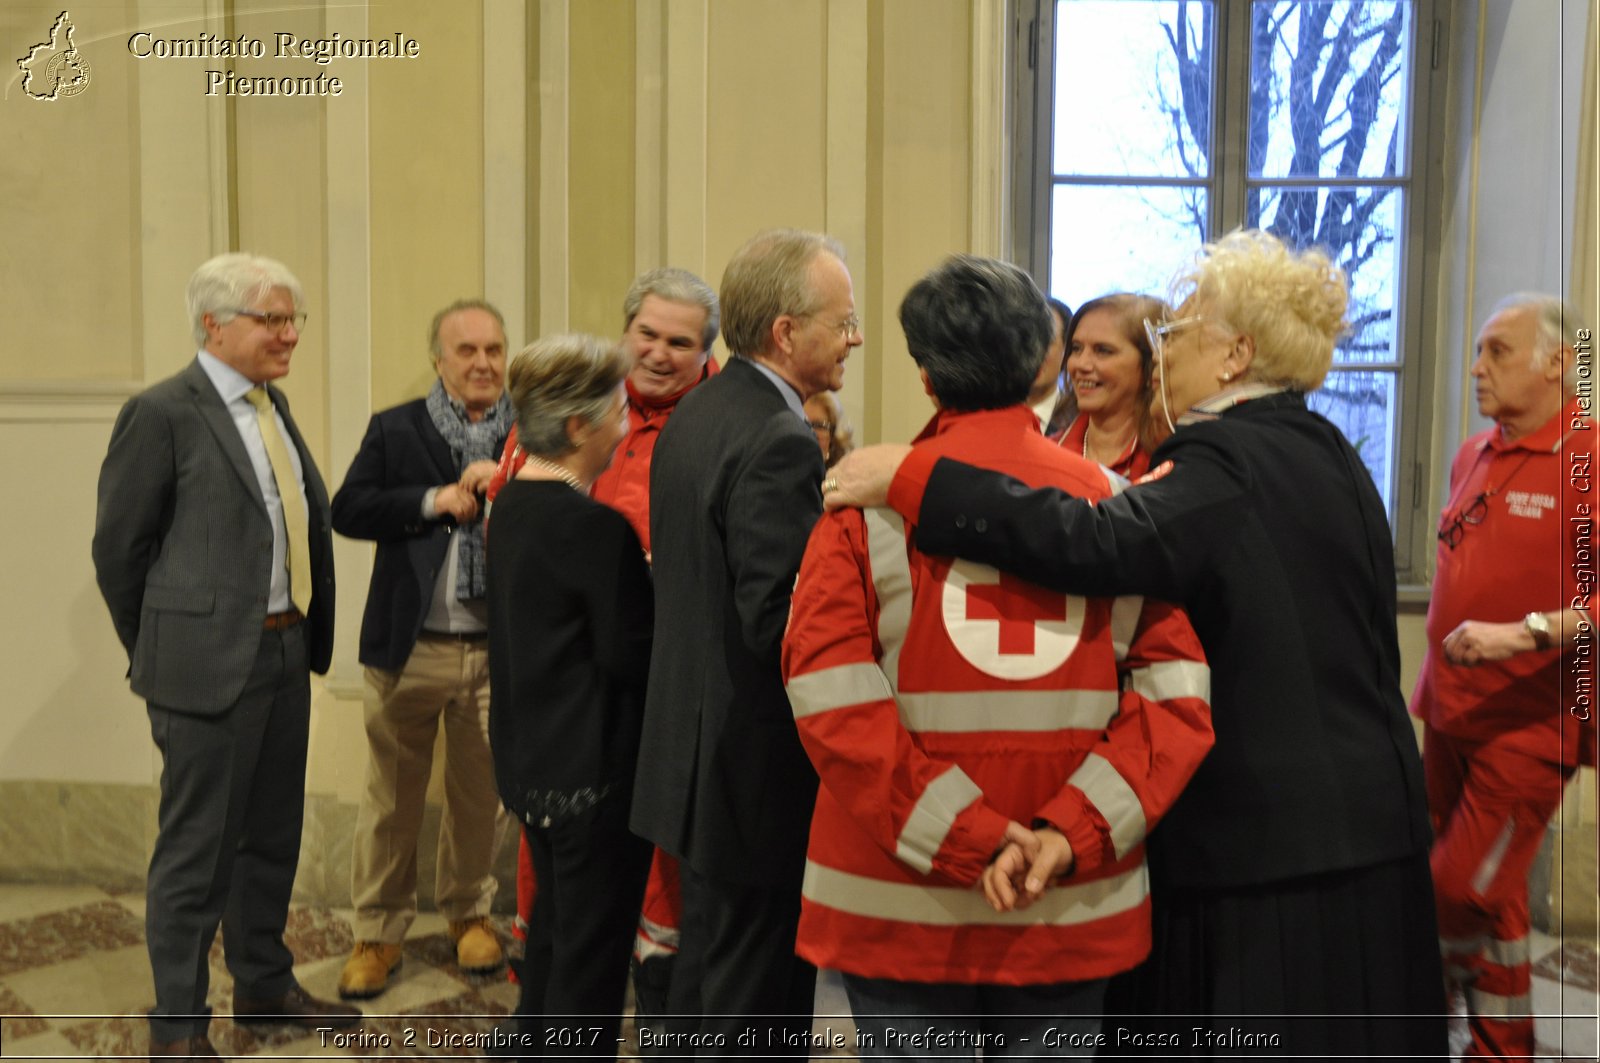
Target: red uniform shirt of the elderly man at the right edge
{"x": 1534, "y": 552}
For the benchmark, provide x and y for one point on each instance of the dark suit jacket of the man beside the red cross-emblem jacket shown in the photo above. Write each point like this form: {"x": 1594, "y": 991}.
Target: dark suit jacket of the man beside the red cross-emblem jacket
{"x": 735, "y": 489}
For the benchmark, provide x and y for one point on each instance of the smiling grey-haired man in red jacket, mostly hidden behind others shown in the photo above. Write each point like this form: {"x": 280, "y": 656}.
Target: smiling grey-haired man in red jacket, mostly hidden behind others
{"x": 670, "y": 321}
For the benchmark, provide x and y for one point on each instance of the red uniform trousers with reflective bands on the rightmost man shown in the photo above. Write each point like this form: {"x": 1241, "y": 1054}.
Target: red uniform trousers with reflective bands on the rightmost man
{"x": 1490, "y": 808}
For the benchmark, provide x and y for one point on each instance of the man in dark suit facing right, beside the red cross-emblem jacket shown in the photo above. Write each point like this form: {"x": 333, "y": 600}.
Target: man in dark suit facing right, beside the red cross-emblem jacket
{"x": 734, "y": 495}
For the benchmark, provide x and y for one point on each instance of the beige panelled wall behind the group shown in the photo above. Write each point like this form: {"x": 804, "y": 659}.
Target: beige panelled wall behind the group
{"x": 542, "y": 153}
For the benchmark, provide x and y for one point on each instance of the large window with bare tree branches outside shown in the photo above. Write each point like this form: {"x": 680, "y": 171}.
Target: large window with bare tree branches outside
{"x": 1154, "y": 126}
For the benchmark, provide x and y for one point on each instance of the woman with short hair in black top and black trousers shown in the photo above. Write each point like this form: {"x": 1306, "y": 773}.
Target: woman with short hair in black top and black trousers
{"x": 570, "y": 628}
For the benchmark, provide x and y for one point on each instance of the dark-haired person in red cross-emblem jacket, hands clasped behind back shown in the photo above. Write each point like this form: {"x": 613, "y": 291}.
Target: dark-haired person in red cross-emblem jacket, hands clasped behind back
{"x": 969, "y": 728}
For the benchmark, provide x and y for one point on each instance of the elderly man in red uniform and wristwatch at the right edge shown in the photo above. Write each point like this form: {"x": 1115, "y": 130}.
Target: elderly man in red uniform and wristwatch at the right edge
{"x": 1508, "y": 633}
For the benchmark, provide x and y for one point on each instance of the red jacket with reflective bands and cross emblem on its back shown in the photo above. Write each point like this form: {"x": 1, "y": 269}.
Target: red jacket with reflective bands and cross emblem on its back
{"x": 940, "y": 700}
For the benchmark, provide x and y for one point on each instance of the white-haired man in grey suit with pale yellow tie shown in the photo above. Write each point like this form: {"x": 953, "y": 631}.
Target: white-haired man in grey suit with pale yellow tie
{"x": 214, "y": 553}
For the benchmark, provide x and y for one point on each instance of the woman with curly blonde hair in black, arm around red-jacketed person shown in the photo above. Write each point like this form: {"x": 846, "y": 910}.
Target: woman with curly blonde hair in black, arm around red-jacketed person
{"x": 1290, "y": 881}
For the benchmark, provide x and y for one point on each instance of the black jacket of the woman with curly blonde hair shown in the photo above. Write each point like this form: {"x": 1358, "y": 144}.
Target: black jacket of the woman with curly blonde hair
{"x": 1270, "y": 532}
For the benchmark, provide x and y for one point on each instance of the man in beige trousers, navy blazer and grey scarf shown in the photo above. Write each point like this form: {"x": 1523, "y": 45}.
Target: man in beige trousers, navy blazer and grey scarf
{"x": 415, "y": 489}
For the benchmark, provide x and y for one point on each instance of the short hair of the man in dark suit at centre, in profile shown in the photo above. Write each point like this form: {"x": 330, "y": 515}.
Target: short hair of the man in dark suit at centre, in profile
{"x": 769, "y": 278}
